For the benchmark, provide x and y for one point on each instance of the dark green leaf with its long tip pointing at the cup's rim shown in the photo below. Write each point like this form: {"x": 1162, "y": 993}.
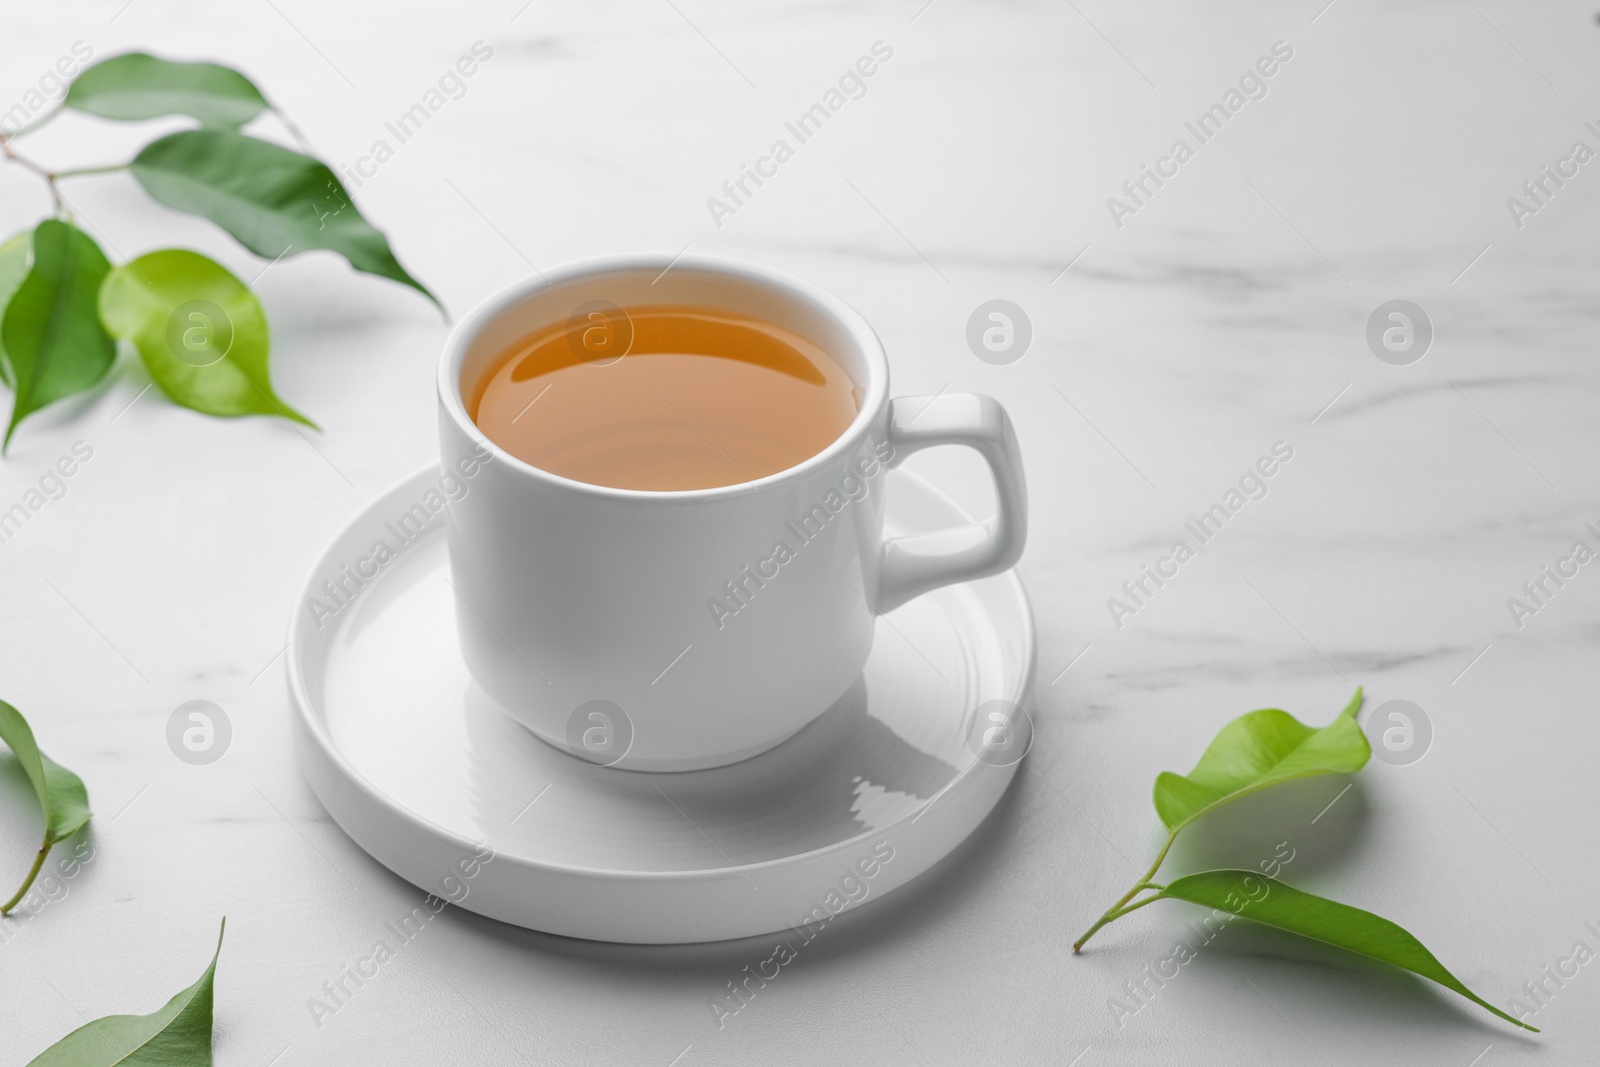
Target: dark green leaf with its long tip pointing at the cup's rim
{"x": 276, "y": 202}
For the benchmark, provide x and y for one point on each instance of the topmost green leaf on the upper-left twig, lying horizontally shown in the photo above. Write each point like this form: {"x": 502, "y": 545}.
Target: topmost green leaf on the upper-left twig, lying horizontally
{"x": 137, "y": 87}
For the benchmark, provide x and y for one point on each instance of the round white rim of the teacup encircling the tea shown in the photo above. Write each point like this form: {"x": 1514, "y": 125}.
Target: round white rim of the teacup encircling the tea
{"x": 857, "y": 327}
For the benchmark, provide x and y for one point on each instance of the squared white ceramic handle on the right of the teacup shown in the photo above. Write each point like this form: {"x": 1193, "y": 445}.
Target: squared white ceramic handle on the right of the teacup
{"x": 919, "y": 564}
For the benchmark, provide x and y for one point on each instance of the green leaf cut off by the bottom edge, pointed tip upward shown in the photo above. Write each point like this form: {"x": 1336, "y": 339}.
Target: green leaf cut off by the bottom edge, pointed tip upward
{"x": 178, "y": 1036}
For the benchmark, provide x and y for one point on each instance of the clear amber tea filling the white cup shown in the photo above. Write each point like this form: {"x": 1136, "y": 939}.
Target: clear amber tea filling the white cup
{"x": 702, "y": 398}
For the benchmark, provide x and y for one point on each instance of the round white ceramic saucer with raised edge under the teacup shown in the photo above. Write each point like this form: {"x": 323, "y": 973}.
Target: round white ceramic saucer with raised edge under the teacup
{"x": 425, "y": 773}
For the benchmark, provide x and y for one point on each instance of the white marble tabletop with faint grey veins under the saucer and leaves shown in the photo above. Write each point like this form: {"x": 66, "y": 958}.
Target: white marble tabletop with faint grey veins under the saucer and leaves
{"x": 1228, "y": 313}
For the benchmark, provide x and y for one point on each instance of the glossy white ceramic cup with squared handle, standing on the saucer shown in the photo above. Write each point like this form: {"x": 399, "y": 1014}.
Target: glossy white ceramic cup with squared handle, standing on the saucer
{"x": 668, "y": 631}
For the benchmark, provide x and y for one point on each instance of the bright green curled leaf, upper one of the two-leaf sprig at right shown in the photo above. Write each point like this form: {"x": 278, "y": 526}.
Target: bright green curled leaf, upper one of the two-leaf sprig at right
{"x": 1257, "y": 751}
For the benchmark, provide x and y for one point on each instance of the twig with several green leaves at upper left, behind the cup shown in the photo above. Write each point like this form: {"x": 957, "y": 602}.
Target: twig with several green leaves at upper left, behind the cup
{"x": 199, "y": 330}
